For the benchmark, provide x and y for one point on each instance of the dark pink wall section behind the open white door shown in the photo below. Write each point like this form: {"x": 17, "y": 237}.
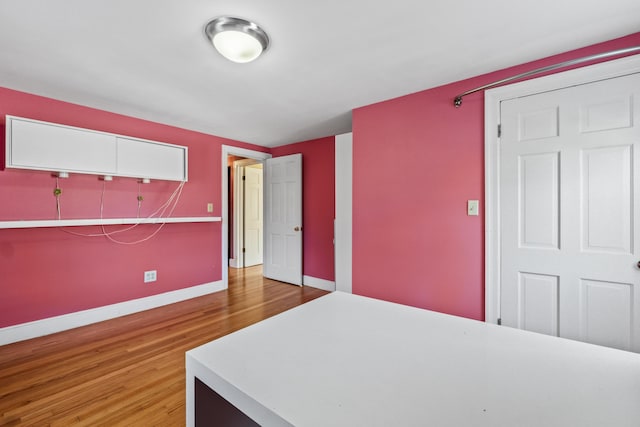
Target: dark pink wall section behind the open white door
{"x": 318, "y": 182}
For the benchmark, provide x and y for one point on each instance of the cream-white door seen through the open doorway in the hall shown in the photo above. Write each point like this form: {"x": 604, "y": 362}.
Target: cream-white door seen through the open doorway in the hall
{"x": 253, "y": 231}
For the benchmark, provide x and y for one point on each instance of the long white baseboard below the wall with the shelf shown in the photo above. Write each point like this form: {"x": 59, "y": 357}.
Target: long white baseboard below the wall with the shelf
{"x": 42, "y": 327}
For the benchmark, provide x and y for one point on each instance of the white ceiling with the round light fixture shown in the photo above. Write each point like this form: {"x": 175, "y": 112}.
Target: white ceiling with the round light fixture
{"x": 150, "y": 59}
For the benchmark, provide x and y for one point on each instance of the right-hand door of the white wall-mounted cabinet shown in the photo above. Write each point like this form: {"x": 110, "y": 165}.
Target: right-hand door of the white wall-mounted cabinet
{"x": 146, "y": 159}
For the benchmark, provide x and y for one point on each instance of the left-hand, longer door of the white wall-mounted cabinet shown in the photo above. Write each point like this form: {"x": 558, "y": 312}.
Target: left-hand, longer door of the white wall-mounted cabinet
{"x": 44, "y": 146}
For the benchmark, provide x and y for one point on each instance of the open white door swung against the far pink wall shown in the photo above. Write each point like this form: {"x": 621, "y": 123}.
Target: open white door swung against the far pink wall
{"x": 283, "y": 219}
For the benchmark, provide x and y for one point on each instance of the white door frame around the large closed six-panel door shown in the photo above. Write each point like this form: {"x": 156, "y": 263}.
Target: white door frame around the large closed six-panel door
{"x": 492, "y": 102}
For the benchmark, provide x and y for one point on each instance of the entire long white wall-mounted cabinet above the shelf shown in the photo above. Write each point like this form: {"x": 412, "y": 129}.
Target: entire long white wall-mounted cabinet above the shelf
{"x": 37, "y": 145}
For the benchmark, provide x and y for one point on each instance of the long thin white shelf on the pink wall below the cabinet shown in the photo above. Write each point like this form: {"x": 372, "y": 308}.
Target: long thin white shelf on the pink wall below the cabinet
{"x": 103, "y": 221}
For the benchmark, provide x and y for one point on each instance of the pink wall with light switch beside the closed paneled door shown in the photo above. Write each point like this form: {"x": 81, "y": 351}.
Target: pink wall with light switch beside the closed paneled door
{"x": 417, "y": 160}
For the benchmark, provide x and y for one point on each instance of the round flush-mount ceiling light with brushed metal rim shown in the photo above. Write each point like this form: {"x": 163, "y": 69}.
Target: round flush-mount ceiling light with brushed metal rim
{"x": 237, "y": 39}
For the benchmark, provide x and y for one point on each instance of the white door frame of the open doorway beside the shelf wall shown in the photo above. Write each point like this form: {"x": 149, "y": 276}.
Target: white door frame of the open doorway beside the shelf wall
{"x": 228, "y": 150}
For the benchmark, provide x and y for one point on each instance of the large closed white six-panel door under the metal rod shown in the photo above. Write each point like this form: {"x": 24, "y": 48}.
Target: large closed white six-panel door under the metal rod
{"x": 570, "y": 208}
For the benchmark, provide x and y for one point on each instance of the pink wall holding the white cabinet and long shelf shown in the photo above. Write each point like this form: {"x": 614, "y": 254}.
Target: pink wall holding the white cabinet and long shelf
{"x": 47, "y": 272}
